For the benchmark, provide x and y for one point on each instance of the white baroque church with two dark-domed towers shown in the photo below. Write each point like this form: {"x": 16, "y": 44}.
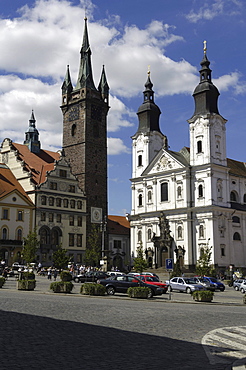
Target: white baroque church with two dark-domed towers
{"x": 183, "y": 201}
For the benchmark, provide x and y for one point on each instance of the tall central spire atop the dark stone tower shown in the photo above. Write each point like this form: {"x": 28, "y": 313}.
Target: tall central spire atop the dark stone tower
{"x": 85, "y": 77}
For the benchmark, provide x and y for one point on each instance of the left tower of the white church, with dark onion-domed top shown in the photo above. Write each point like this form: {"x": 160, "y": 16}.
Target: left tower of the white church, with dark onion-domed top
{"x": 148, "y": 139}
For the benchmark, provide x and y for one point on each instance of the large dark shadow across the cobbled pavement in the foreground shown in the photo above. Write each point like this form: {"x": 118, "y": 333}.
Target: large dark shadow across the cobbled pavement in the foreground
{"x": 34, "y": 342}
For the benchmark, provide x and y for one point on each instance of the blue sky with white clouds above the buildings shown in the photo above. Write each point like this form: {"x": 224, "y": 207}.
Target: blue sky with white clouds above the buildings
{"x": 38, "y": 39}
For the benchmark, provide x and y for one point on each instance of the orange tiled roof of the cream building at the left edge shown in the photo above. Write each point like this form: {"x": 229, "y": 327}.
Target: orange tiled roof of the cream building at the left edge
{"x": 9, "y": 184}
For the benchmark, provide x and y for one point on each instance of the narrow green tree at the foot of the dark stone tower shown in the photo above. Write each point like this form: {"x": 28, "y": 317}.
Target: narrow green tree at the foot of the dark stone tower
{"x": 93, "y": 250}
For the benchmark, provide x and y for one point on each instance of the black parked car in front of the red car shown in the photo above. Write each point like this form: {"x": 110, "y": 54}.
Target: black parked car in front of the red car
{"x": 120, "y": 284}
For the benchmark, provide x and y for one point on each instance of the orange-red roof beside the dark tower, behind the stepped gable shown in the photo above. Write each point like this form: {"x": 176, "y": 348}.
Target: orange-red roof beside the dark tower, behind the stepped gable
{"x": 36, "y": 163}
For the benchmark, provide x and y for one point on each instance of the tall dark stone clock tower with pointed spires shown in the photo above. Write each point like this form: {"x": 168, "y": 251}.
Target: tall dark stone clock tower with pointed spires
{"x": 85, "y": 110}
